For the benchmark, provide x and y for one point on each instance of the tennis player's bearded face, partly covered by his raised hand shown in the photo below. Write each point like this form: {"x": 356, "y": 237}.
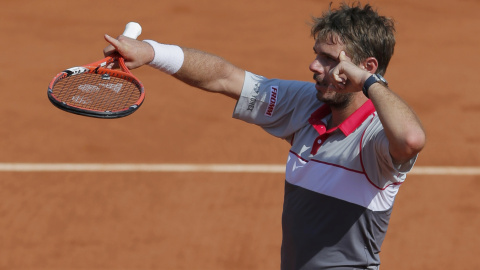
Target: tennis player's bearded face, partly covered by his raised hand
{"x": 327, "y": 54}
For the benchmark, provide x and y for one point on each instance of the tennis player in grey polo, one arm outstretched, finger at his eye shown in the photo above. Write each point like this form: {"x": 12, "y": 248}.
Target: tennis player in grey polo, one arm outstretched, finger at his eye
{"x": 353, "y": 140}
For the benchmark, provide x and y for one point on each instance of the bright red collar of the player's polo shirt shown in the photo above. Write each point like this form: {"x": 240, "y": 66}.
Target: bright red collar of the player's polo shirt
{"x": 347, "y": 126}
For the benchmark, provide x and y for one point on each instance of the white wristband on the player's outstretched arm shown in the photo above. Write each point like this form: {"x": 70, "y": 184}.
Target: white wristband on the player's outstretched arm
{"x": 168, "y": 58}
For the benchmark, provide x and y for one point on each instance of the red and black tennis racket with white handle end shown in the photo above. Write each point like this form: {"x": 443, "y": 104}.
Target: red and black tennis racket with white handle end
{"x": 98, "y": 91}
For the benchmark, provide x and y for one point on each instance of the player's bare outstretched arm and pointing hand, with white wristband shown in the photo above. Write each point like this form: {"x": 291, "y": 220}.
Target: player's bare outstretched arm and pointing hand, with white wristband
{"x": 196, "y": 68}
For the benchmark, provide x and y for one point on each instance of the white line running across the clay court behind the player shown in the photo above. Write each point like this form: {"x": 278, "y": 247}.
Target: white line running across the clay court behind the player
{"x": 229, "y": 168}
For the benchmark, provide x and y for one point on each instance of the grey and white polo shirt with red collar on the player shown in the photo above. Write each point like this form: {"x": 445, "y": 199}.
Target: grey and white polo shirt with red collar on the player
{"x": 340, "y": 183}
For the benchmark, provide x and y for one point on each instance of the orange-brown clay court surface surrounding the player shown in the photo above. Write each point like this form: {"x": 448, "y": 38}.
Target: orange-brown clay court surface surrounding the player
{"x": 216, "y": 220}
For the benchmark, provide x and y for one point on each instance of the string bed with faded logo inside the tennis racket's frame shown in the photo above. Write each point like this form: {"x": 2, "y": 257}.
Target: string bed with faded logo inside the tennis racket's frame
{"x": 99, "y": 92}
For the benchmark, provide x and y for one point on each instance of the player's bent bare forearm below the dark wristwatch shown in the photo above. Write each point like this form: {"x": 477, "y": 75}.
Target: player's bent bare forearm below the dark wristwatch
{"x": 402, "y": 126}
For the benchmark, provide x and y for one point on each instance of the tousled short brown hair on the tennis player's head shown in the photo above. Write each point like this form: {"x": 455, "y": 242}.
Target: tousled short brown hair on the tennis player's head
{"x": 364, "y": 32}
